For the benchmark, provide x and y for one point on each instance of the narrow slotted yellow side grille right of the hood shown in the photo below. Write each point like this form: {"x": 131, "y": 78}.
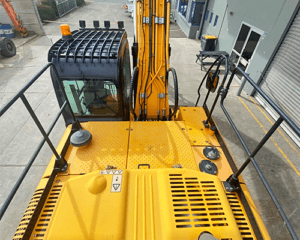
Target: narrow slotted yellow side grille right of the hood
{"x": 240, "y": 216}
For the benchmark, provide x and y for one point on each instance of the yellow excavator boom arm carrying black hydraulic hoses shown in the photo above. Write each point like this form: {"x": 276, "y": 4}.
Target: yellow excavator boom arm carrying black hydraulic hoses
{"x": 152, "y": 29}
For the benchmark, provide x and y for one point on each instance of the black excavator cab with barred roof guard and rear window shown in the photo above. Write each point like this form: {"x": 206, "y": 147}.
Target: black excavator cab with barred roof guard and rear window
{"x": 93, "y": 66}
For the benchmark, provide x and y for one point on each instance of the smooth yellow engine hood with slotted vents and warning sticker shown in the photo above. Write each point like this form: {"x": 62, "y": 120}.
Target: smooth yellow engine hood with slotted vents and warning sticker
{"x": 151, "y": 204}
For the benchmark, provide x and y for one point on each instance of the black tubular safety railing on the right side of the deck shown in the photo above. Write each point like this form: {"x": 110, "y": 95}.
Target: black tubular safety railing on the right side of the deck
{"x": 232, "y": 183}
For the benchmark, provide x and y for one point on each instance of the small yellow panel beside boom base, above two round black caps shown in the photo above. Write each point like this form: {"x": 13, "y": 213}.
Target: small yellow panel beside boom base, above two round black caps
{"x": 193, "y": 118}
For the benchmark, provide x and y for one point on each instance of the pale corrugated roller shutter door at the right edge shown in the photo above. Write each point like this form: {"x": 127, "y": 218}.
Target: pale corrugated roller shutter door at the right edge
{"x": 282, "y": 79}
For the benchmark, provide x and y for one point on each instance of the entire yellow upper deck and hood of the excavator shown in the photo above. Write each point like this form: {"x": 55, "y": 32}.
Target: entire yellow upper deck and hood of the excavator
{"x": 157, "y": 203}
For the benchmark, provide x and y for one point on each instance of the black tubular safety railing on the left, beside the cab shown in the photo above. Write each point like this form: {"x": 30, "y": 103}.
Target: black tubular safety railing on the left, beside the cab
{"x": 60, "y": 163}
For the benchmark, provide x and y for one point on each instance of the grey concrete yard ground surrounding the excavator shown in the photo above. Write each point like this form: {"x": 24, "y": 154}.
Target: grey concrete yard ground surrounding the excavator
{"x": 279, "y": 159}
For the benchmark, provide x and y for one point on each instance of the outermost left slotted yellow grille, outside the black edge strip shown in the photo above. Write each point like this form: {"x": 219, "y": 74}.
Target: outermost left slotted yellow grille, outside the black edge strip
{"x": 28, "y": 214}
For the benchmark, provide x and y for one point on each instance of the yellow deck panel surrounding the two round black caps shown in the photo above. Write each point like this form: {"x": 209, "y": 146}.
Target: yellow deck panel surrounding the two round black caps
{"x": 224, "y": 169}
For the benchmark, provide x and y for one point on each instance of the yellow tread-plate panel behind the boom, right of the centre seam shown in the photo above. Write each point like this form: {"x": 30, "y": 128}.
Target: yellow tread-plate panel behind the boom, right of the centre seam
{"x": 160, "y": 144}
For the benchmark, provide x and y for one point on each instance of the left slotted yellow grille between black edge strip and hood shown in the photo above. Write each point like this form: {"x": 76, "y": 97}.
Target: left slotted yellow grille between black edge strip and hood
{"x": 46, "y": 213}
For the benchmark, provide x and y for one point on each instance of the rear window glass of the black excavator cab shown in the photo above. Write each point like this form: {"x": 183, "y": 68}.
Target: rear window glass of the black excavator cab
{"x": 93, "y": 97}
